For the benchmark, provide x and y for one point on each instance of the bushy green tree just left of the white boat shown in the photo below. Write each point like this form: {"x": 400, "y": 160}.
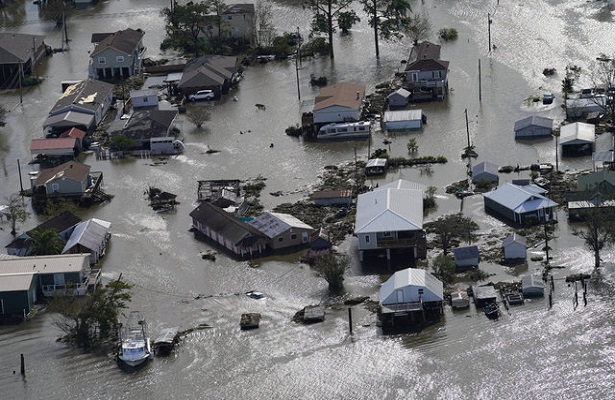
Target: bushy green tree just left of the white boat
{"x": 91, "y": 320}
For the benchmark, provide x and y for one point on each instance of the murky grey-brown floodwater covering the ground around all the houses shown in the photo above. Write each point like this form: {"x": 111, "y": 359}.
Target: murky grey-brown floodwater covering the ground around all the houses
{"x": 531, "y": 351}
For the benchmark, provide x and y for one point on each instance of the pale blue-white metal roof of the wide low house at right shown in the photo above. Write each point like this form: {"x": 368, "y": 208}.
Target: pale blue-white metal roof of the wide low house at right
{"x": 520, "y": 199}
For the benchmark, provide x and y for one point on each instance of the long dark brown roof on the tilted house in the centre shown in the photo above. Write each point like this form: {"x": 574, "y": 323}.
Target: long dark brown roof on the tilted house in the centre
{"x": 226, "y": 225}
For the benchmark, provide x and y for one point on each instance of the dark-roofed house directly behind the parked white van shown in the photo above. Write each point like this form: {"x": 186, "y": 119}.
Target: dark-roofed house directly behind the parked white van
{"x": 209, "y": 72}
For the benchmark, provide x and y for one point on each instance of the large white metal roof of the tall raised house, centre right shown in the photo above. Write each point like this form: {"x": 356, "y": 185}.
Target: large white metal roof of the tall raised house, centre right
{"x": 386, "y": 210}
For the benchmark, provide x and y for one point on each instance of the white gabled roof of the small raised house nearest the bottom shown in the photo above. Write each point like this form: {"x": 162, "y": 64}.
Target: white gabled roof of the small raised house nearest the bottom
{"x": 411, "y": 277}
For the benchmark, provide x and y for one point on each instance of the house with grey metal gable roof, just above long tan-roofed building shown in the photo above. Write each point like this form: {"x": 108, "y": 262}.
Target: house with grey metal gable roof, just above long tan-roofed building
{"x": 91, "y": 237}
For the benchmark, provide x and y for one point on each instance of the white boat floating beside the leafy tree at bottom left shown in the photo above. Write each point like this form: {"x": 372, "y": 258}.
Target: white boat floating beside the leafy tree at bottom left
{"x": 135, "y": 347}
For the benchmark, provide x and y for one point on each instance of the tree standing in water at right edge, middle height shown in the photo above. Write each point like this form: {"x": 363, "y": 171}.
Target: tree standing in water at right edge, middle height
{"x": 597, "y": 233}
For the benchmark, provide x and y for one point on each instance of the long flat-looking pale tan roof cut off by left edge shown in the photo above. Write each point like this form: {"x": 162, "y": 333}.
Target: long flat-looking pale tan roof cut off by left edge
{"x": 44, "y": 264}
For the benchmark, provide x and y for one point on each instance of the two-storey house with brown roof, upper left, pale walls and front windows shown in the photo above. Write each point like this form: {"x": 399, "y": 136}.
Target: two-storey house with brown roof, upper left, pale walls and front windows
{"x": 116, "y": 55}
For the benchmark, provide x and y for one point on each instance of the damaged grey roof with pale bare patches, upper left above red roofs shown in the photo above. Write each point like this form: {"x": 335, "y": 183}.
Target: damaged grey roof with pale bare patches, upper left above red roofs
{"x": 88, "y": 94}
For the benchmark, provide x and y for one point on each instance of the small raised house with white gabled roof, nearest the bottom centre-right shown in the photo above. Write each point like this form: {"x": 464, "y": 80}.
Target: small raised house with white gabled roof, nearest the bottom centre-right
{"x": 410, "y": 295}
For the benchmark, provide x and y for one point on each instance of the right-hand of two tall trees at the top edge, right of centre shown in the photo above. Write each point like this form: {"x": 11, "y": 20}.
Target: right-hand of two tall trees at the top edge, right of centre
{"x": 389, "y": 18}
